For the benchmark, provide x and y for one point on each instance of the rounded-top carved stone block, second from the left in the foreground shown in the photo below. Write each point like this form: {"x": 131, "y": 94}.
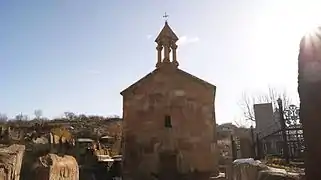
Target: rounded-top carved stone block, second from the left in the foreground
{"x": 54, "y": 167}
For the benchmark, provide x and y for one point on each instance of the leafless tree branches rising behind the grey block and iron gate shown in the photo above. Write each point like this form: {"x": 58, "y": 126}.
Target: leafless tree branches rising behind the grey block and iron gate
{"x": 247, "y": 102}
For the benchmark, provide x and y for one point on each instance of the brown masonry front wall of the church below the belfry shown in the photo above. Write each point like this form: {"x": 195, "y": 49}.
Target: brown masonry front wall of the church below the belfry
{"x": 193, "y": 132}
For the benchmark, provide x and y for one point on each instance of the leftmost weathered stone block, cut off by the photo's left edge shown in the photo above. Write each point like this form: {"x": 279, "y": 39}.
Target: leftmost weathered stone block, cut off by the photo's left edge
{"x": 10, "y": 161}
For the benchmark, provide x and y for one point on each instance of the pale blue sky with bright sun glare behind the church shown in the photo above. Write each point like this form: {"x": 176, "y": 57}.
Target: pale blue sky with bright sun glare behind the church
{"x": 78, "y": 55}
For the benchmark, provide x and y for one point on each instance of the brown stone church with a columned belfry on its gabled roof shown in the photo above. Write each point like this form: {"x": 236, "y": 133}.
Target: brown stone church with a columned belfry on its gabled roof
{"x": 169, "y": 119}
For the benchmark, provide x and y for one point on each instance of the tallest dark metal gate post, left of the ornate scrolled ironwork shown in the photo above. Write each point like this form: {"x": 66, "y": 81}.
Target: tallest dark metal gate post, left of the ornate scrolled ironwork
{"x": 284, "y": 136}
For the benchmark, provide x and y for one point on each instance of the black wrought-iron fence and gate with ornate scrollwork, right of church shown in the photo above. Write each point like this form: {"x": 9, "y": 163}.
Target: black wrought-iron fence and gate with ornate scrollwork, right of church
{"x": 287, "y": 141}
